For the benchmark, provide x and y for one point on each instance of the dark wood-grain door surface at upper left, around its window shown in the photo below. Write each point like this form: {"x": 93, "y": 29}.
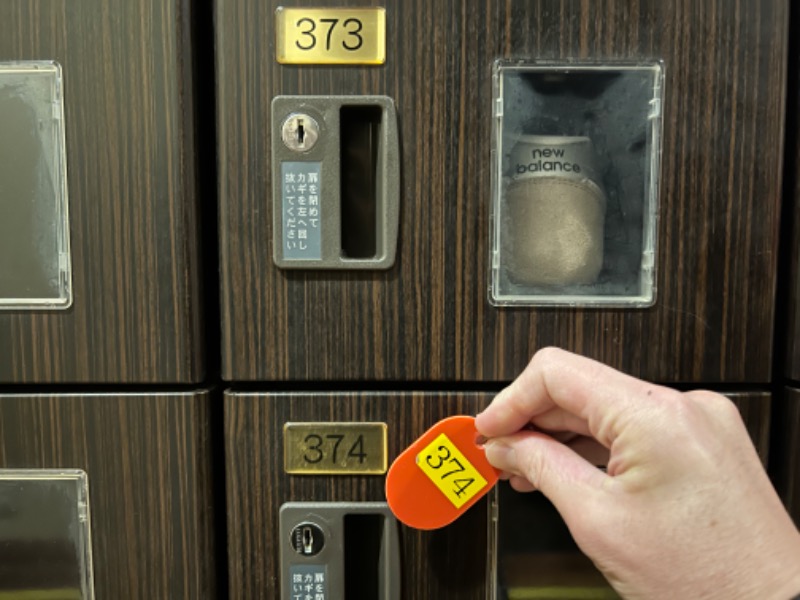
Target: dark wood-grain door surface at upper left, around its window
{"x": 130, "y": 172}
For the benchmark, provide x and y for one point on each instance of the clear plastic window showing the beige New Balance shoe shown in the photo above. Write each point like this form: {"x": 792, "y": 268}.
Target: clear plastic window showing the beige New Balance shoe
{"x": 575, "y": 185}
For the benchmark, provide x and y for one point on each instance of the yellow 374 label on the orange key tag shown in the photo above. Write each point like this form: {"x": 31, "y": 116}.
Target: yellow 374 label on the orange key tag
{"x": 450, "y": 471}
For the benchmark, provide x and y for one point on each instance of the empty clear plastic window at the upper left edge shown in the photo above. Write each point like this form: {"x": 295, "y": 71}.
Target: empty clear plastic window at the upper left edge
{"x": 34, "y": 233}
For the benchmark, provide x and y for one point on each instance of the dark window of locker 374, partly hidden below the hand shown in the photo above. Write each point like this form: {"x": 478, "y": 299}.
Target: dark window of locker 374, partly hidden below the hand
{"x": 534, "y": 556}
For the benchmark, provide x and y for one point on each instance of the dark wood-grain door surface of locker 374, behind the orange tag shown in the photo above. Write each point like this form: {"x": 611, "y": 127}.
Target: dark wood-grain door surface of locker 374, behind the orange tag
{"x": 445, "y": 564}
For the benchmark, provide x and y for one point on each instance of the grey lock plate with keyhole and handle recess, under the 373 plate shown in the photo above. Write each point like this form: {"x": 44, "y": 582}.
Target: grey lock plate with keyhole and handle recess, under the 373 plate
{"x": 335, "y": 182}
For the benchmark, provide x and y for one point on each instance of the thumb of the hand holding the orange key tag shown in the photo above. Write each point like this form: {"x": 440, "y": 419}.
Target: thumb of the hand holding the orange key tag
{"x": 562, "y": 475}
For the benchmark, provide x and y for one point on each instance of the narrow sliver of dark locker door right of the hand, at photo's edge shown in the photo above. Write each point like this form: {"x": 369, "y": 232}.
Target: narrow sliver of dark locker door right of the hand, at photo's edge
{"x": 787, "y": 430}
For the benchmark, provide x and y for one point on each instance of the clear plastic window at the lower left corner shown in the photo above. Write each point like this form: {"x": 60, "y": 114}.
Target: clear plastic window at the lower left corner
{"x": 45, "y": 546}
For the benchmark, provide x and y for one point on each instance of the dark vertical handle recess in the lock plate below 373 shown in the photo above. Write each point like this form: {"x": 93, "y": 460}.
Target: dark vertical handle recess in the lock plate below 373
{"x": 360, "y": 134}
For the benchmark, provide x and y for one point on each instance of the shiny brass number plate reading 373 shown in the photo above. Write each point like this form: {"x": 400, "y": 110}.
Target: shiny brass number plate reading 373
{"x": 330, "y": 36}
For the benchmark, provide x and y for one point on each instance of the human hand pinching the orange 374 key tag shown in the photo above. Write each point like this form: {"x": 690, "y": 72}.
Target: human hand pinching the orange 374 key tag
{"x": 685, "y": 509}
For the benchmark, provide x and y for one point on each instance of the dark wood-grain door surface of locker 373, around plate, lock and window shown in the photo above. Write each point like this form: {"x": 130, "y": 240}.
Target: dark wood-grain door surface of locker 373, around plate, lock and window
{"x": 428, "y": 318}
